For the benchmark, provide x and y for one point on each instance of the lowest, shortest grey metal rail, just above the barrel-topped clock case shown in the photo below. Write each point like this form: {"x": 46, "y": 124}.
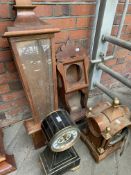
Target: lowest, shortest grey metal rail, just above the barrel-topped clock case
{"x": 105, "y": 90}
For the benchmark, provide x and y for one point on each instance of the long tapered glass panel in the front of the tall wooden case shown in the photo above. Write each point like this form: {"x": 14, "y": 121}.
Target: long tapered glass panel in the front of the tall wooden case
{"x": 35, "y": 57}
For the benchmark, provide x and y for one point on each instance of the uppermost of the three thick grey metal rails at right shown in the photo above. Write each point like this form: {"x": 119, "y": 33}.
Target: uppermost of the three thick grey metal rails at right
{"x": 116, "y": 41}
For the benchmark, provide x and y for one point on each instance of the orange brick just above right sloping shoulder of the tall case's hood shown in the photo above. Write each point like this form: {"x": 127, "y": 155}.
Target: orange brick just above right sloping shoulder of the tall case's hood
{"x": 65, "y": 23}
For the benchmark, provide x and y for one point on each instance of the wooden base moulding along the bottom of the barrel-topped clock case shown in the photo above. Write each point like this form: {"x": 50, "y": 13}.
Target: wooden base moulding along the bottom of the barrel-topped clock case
{"x": 98, "y": 157}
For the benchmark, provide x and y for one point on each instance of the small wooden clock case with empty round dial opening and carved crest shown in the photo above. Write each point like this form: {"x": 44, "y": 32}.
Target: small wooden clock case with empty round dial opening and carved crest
{"x": 73, "y": 67}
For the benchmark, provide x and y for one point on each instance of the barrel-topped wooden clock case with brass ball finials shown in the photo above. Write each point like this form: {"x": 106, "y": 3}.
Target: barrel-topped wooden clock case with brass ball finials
{"x": 107, "y": 128}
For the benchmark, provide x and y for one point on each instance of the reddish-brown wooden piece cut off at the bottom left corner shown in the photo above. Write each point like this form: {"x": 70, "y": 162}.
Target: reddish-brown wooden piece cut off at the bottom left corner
{"x": 7, "y": 162}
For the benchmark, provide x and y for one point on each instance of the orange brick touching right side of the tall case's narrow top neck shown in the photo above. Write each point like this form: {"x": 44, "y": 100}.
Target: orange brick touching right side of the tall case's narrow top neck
{"x": 43, "y": 10}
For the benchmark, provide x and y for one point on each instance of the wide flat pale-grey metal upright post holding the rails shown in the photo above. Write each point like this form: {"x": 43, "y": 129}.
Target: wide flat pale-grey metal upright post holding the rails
{"x": 103, "y": 27}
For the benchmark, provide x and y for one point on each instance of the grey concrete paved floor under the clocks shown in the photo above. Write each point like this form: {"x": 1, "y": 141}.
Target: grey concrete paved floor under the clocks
{"x": 27, "y": 158}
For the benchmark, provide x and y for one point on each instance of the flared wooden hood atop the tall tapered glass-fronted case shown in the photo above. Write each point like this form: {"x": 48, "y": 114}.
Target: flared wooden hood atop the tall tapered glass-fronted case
{"x": 27, "y": 23}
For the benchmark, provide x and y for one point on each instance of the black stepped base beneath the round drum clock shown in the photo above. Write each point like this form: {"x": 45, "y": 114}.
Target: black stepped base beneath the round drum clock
{"x": 59, "y": 163}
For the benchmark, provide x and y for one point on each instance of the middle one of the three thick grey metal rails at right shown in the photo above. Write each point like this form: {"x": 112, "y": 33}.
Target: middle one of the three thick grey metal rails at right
{"x": 114, "y": 75}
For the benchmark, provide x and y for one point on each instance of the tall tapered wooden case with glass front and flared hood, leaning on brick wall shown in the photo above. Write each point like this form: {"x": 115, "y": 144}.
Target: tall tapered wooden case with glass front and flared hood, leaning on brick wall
{"x": 32, "y": 45}
